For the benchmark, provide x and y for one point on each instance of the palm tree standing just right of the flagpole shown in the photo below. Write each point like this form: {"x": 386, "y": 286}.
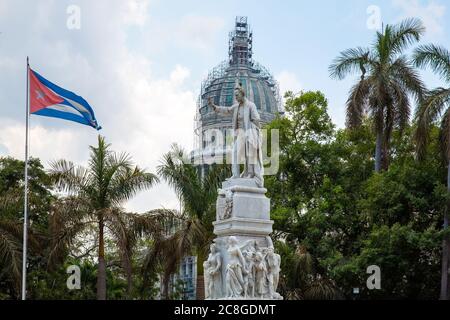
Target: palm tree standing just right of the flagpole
{"x": 95, "y": 197}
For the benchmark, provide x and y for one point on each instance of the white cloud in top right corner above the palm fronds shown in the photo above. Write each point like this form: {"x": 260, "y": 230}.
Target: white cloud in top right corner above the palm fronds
{"x": 431, "y": 13}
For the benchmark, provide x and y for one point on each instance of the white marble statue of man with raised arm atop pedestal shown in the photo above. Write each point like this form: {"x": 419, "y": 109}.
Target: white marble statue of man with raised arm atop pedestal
{"x": 247, "y": 137}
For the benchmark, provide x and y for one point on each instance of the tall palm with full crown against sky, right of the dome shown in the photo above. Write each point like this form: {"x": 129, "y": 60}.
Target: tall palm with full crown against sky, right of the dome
{"x": 388, "y": 80}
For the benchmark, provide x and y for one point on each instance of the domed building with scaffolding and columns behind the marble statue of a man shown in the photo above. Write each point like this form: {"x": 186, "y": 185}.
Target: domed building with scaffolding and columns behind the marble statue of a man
{"x": 240, "y": 68}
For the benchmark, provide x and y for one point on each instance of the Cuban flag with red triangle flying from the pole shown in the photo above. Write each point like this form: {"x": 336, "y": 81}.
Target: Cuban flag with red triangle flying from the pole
{"x": 47, "y": 99}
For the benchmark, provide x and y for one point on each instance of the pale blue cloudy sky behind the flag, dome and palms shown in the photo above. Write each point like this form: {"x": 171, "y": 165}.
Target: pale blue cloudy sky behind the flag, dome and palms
{"x": 140, "y": 64}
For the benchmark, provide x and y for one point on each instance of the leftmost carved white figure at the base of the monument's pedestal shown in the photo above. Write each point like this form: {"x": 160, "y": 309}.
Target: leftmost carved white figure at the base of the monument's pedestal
{"x": 212, "y": 273}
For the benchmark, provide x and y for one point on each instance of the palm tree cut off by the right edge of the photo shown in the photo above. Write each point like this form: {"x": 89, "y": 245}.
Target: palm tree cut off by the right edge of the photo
{"x": 436, "y": 103}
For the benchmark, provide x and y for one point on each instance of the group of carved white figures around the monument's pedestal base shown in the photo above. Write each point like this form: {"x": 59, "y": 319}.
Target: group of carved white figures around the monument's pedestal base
{"x": 250, "y": 272}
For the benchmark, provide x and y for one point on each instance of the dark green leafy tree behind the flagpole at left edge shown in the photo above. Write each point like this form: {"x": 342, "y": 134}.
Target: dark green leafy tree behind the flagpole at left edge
{"x": 11, "y": 220}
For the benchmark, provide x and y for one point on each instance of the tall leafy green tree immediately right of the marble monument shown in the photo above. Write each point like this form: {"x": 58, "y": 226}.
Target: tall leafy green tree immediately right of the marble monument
{"x": 306, "y": 160}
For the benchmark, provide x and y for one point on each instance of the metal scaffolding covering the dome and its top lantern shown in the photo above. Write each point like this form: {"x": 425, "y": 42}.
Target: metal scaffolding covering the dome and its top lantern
{"x": 219, "y": 84}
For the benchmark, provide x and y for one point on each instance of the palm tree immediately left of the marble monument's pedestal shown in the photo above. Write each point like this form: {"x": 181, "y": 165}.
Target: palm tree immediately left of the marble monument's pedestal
{"x": 191, "y": 228}
